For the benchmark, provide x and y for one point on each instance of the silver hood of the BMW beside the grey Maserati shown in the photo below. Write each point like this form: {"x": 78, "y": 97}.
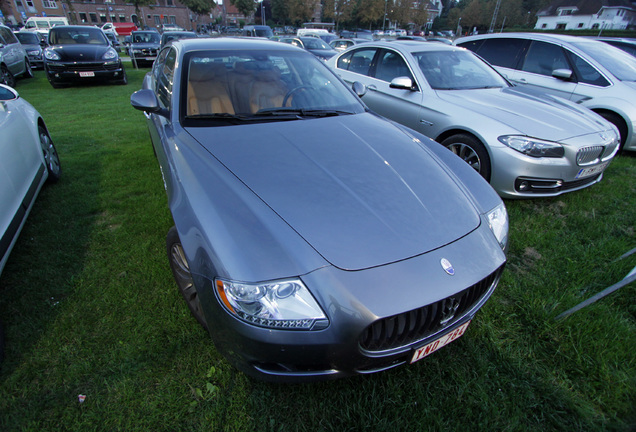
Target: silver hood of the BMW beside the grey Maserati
{"x": 535, "y": 115}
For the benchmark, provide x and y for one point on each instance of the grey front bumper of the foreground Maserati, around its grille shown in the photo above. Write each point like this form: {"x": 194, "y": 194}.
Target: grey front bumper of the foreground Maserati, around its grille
{"x": 359, "y": 306}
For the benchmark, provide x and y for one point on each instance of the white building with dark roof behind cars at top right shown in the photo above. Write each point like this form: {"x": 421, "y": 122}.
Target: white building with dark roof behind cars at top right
{"x": 587, "y": 14}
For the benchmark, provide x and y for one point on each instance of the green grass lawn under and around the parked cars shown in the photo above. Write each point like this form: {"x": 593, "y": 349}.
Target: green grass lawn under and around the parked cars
{"x": 89, "y": 307}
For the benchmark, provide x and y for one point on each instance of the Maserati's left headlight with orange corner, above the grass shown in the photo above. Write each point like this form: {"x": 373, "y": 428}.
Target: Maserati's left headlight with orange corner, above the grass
{"x": 284, "y": 304}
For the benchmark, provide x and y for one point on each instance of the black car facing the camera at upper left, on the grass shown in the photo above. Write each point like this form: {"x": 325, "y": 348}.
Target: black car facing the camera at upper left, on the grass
{"x": 80, "y": 54}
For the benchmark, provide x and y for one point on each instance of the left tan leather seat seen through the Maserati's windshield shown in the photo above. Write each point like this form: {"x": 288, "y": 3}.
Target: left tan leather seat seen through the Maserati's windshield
{"x": 208, "y": 89}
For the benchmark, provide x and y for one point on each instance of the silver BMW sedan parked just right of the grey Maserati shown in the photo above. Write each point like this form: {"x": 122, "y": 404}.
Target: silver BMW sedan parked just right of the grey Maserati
{"x": 526, "y": 144}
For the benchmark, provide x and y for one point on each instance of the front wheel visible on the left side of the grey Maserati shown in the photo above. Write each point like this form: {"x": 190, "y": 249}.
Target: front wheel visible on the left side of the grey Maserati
{"x": 183, "y": 277}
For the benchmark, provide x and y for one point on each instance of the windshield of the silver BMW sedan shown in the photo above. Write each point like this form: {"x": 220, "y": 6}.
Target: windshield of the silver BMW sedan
{"x": 457, "y": 70}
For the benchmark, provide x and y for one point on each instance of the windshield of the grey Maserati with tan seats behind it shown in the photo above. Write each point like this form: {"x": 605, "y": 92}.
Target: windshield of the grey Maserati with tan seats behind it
{"x": 238, "y": 86}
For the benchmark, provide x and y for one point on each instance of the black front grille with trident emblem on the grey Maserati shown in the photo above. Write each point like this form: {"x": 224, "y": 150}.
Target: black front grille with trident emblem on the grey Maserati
{"x": 415, "y": 325}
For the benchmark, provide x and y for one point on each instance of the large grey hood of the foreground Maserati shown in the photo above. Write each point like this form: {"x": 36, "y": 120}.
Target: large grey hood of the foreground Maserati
{"x": 358, "y": 189}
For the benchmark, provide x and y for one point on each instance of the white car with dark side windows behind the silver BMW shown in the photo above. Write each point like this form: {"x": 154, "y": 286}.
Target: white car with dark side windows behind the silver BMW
{"x": 588, "y": 72}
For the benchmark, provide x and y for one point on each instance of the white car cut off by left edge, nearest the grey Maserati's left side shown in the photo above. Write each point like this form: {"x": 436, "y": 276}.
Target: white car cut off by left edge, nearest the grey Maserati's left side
{"x": 28, "y": 159}
